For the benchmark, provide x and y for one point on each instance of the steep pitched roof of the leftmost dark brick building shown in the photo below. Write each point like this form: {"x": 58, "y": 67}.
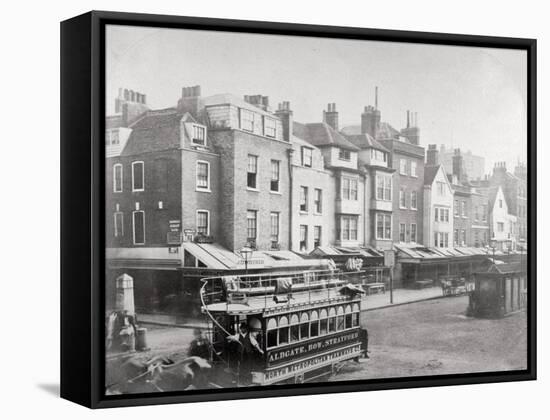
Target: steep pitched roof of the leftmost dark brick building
{"x": 155, "y": 131}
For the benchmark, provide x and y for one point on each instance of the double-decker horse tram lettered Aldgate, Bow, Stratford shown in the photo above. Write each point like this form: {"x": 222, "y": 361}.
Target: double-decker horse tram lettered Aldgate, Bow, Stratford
{"x": 283, "y": 328}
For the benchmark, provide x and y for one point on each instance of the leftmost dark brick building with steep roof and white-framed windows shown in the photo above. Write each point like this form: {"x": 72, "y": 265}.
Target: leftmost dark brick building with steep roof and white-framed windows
{"x": 148, "y": 157}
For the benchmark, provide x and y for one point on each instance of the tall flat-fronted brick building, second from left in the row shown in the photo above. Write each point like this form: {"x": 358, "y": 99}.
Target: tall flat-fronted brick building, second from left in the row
{"x": 254, "y": 171}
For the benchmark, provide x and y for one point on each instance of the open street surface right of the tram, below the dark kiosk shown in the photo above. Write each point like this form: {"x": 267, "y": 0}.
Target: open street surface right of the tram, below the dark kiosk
{"x": 436, "y": 338}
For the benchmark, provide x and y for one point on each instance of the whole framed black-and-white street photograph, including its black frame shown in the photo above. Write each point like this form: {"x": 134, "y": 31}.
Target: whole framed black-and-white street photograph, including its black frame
{"x": 254, "y": 209}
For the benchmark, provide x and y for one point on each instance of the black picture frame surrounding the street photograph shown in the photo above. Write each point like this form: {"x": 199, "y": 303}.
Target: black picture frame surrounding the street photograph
{"x": 82, "y": 206}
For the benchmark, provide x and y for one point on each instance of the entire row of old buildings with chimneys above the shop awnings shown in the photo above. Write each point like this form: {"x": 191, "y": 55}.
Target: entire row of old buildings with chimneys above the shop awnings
{"x": 226, "y": 171}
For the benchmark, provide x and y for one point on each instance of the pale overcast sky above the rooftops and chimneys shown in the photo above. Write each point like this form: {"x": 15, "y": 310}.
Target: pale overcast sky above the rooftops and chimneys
{"x": 472, "y": 98}
